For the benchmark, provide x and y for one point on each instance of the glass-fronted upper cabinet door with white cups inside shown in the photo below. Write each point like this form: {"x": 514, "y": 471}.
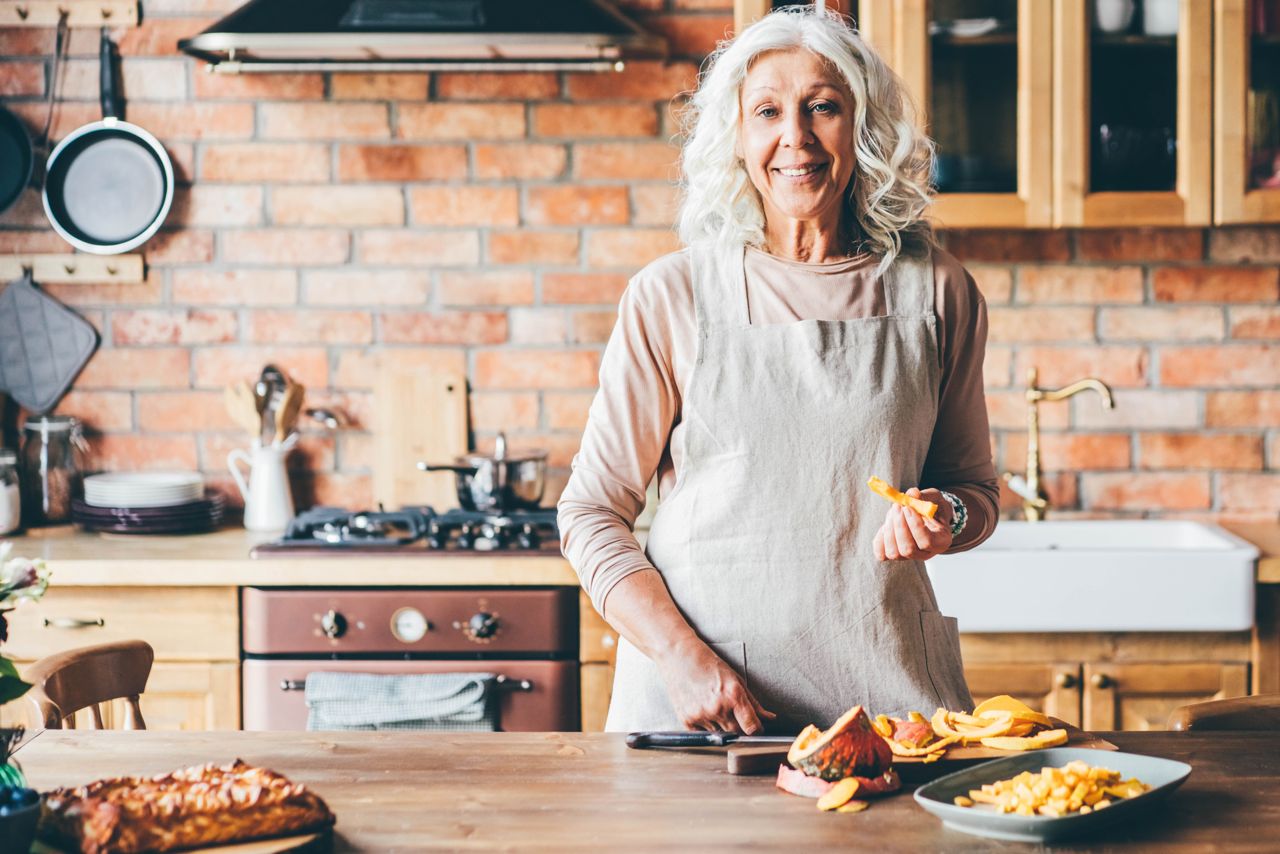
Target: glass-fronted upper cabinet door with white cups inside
{"x": 1131, "y": 95}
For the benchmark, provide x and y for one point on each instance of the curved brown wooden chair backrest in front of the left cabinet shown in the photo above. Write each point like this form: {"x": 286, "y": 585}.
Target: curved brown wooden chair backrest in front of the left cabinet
{"x": 77, "y": 679}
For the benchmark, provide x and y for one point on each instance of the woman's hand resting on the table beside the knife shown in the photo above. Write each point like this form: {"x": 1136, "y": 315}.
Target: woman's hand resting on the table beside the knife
{"x": 707, "y": 693}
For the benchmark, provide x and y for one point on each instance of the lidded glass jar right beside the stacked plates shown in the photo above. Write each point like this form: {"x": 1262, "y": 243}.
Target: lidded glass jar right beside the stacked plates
{"x": 51, "y": 471}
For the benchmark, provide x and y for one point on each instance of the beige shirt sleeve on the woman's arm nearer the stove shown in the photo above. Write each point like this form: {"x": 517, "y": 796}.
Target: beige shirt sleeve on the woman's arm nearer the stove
{"x": 627, "y": 436}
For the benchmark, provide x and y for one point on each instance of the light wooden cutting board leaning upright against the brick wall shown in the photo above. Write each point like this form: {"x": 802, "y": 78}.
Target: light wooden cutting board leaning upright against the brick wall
{"x": 420, "y": 415}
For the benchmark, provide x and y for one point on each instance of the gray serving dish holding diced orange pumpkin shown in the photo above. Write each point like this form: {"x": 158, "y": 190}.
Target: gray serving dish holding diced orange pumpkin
{"x": 938, "y": 797}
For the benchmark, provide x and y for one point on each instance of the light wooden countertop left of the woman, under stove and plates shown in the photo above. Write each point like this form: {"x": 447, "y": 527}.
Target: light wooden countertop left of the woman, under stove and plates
{"x": 222, "y": 559}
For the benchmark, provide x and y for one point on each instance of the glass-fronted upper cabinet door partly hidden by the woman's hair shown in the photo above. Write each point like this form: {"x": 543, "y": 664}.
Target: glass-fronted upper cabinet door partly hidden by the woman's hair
{"x": 986, "y": 99}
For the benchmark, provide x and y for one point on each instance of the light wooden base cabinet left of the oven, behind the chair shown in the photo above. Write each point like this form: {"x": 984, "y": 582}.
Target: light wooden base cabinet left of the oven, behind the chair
{"x": 195, "y": 633}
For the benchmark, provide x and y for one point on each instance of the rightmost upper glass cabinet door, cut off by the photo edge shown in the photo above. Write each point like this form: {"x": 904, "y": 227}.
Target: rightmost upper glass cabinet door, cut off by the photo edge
{"x": 1246, "y": 112}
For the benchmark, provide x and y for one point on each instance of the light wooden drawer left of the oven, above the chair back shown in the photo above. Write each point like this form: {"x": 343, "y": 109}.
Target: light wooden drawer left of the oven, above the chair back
{"x": 182, "y": 624}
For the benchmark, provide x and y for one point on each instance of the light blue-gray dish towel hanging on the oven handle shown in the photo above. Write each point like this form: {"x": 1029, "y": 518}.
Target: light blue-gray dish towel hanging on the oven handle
{"x": 401, "y": 702}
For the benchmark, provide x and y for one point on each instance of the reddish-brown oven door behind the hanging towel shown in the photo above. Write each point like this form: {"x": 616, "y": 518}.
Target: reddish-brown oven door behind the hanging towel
{"x": 275, "y": 698}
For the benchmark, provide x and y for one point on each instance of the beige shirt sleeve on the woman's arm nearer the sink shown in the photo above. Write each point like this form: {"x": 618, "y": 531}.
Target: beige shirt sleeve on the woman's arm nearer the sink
{"x": 959, "y": 459}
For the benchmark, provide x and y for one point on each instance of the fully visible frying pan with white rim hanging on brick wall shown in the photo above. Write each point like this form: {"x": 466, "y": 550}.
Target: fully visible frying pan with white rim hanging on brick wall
{"x": 108, "y": 185}
